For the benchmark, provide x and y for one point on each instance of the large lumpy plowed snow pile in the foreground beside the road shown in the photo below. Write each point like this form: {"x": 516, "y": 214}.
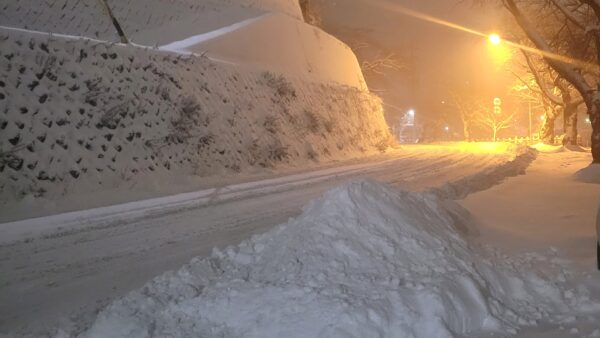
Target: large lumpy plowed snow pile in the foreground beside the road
{"x": 365, "y": 260}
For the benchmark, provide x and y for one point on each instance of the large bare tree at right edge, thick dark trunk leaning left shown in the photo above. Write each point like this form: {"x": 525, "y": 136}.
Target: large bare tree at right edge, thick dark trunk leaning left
{"x": 570, "y": 44}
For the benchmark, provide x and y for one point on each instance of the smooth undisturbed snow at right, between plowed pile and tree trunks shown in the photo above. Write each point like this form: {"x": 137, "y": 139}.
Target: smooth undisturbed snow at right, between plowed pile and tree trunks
{"x": 549, "y": 215}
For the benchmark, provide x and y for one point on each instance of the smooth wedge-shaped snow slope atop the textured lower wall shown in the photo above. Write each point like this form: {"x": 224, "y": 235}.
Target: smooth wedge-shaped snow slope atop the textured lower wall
{"x": 301, "y": 49}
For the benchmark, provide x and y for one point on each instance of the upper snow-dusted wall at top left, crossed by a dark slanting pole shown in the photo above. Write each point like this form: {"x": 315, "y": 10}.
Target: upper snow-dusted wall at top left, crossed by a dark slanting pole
{"x": 147, "y": 22}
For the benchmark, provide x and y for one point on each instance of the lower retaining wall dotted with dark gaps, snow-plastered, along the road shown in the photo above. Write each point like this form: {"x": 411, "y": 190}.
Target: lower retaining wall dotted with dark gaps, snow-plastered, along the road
{"x": 82, "y": 116}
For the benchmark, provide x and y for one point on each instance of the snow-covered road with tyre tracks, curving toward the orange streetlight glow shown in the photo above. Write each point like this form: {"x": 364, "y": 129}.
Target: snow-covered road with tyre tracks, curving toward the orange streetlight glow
{"x": 51, "y": 269}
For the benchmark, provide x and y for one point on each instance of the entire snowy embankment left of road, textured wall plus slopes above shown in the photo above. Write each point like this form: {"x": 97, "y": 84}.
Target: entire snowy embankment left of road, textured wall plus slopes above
{"x": 83, "y": 115}
